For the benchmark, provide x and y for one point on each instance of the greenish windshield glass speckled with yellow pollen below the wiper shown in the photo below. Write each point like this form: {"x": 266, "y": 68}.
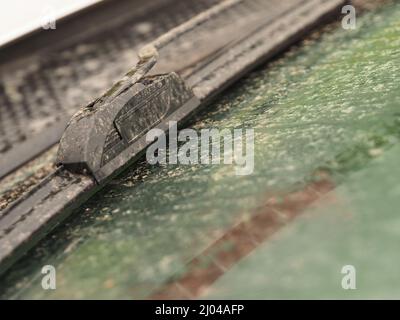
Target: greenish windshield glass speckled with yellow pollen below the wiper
{"x": 326, "y": 125}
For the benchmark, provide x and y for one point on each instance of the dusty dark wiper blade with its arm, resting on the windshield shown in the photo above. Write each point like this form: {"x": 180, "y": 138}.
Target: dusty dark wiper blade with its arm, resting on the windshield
{"x": 109, "y": 134}
